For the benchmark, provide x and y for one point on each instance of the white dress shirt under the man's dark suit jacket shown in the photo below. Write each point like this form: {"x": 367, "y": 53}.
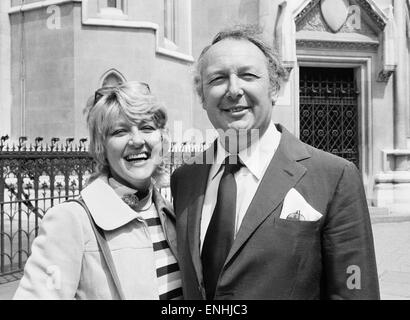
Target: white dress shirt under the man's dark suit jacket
{"x": 256, "y": 160}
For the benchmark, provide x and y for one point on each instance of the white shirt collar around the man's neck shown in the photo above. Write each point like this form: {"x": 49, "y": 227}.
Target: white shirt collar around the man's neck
{"x": 256, "y": 157}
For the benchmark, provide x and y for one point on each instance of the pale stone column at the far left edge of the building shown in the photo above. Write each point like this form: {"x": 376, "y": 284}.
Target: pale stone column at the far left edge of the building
{"x": 5, "y": 72}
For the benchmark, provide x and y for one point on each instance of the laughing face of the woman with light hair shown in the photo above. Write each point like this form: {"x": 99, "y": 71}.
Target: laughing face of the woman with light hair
{"x": 134, "y": 151}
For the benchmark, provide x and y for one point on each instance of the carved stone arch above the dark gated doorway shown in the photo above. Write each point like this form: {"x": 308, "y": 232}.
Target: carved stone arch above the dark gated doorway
{"x": 367, "y": 28}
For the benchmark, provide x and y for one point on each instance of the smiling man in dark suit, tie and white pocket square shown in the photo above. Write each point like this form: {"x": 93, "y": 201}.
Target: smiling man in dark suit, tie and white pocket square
{"x": 297, "y": 224}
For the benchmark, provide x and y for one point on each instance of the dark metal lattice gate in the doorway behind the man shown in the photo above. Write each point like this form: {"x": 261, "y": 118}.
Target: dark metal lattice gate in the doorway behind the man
{"x": 329, "y": 111}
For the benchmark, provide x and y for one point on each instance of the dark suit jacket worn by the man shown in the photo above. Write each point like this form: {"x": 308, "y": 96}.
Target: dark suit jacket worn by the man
{"x": 272, "y": 258}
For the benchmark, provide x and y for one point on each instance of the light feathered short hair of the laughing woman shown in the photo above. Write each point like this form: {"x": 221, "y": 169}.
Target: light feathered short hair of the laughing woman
{"x": 132, "y": 101}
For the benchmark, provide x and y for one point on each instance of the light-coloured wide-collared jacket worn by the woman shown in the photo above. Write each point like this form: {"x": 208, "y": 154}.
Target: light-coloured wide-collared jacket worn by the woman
{"x": 66, "y": 262}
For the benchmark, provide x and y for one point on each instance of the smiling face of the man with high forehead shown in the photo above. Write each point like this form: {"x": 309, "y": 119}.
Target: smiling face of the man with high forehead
{"x": 236, "y": 86}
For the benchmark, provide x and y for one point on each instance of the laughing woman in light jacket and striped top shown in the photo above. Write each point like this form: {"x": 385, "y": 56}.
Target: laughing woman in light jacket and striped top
{"x": 127, "y": 129}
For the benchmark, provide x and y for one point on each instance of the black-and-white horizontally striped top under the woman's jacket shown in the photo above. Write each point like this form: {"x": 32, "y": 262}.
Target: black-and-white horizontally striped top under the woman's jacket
{"x": 168, "y": 273}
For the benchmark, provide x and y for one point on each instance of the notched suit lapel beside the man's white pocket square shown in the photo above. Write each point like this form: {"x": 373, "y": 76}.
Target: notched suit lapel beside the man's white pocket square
{"x": 283, "y": 173}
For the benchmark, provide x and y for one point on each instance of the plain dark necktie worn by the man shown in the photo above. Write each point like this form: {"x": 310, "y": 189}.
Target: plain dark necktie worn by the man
{"x": 221, "y": 230}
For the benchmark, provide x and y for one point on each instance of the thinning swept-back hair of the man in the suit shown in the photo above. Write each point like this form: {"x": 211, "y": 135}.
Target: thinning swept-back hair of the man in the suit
{"x": 252, "y": 34}
